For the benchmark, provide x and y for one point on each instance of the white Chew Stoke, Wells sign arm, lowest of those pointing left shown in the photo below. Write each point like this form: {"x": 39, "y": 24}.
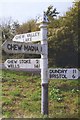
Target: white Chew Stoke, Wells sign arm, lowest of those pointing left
{"x": 23, "y": 63}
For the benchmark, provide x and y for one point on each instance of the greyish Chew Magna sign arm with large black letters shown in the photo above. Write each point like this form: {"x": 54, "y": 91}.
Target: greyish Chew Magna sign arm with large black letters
{"x": 18, "y": 47}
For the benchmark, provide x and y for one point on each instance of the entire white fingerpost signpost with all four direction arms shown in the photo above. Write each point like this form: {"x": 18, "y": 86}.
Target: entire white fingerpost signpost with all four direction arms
{"x": 22, "y": 44}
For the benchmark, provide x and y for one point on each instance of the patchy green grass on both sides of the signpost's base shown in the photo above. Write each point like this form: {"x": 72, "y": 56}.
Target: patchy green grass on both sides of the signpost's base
{"x": 21, "y": 96}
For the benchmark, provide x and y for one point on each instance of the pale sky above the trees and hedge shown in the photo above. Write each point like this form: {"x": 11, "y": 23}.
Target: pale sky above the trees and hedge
{"x": 23, "y": 10}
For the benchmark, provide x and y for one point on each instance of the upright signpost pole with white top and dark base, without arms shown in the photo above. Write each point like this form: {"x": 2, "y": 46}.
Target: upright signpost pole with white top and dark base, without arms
{"x": 43, "y": 20}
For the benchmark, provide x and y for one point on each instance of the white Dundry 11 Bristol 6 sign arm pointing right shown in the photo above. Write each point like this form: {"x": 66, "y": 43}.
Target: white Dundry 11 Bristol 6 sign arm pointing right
{"x": 63, "y": 73}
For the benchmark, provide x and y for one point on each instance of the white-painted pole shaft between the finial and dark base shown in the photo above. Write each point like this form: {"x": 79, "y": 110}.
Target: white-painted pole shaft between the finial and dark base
{"x": 44, "y": 57}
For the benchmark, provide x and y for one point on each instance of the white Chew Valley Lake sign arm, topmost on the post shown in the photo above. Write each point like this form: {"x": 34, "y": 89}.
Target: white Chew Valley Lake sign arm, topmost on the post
{"x": 28, "y": 37}
